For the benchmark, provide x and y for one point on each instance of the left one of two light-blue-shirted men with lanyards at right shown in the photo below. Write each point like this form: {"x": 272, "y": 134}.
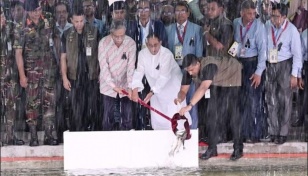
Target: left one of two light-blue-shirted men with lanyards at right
{"x": 250, "y": 33}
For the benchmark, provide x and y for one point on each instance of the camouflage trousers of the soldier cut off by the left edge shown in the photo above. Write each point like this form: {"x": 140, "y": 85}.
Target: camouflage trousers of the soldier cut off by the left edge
{"x": 10, "y": 90}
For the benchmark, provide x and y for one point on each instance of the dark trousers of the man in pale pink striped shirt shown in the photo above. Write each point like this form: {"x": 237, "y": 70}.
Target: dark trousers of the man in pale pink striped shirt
{"x": 108, "y": 113}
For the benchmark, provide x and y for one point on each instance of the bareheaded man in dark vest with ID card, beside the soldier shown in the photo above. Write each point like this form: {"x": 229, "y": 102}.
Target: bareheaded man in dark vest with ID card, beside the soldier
{"x": 79, "y": 69}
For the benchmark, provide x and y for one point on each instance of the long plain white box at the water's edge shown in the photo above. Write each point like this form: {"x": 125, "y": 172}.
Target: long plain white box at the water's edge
{"x": 127, "y": 149}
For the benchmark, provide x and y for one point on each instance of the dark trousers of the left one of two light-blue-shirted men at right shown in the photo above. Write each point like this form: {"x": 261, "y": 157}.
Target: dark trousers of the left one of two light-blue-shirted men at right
{"x": 251, "y": 102}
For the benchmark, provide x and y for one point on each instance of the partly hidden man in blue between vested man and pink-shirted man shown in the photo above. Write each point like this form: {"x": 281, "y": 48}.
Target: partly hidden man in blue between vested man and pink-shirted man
{"x": 89, "y": 12}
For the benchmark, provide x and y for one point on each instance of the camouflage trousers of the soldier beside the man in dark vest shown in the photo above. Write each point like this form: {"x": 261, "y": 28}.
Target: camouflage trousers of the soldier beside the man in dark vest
{"x": 40, "y": 94}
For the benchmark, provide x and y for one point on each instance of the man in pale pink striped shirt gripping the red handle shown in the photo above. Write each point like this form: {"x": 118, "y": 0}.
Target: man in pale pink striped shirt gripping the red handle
{"x": 117, "y": 57}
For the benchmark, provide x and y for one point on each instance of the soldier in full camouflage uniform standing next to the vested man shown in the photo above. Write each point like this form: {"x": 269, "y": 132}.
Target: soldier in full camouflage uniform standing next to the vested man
{"x": 37, "y": 69}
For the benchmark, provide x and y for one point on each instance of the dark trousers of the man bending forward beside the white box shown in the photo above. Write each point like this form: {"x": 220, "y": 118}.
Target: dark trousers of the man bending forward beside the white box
{"x": 223, "y": 108}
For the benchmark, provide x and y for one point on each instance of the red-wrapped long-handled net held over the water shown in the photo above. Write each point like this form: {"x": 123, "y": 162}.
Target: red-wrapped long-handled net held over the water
{"x": 173, "y": 120}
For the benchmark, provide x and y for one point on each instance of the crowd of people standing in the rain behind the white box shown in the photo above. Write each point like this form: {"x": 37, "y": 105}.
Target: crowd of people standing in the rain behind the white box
{"x": 231, "y": 67}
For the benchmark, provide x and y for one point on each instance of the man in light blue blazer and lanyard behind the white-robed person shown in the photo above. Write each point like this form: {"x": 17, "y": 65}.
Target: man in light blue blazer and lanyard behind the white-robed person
{"x": 185, "y": 37}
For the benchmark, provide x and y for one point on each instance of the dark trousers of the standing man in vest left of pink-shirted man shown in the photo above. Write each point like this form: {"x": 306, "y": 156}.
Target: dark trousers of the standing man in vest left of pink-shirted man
{"x": 82, "y": 105}
